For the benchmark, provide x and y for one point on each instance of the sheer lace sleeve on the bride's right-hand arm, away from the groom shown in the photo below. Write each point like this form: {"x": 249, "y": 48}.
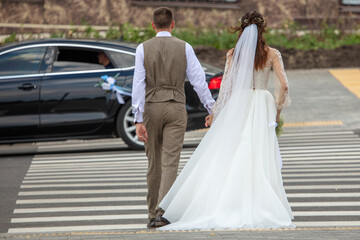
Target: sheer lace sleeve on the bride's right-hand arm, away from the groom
{"x": 282, "y": 97}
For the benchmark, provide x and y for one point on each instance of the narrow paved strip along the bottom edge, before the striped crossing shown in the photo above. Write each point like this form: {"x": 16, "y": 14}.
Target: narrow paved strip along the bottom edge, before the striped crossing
{"x": 300, "y": 234}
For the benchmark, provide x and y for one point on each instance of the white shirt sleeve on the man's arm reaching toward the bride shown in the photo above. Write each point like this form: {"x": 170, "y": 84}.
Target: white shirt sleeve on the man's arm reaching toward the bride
{"x": 196, "y": 75}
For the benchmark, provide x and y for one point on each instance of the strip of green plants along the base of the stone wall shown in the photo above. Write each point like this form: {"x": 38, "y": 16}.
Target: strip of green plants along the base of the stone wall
{"x": 290, "y": 35}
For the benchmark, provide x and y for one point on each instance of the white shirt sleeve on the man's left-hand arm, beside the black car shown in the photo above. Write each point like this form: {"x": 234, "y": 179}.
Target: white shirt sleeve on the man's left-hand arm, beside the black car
{"x": 138, "y": 90}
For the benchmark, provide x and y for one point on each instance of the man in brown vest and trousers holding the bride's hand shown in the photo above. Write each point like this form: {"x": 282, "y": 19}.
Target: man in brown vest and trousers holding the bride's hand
{"x": 158, "y": 98}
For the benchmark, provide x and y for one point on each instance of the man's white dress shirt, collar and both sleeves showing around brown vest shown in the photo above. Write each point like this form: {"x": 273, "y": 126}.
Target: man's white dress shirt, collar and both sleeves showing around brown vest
{"x": 194, "y": 72}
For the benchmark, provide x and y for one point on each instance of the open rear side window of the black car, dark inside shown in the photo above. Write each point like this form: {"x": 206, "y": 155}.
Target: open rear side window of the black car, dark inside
{"x": 69, "y": 59}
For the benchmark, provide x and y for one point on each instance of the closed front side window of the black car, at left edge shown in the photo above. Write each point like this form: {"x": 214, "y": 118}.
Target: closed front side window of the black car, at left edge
{"x": 20, "y": 62}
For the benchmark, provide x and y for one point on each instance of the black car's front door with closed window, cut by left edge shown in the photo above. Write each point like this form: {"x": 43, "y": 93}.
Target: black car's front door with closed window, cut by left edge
{"x": 19, "y": 92}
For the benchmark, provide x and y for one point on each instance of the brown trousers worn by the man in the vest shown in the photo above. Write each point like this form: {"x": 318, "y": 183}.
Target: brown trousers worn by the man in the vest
{"x": 166, "y": 124}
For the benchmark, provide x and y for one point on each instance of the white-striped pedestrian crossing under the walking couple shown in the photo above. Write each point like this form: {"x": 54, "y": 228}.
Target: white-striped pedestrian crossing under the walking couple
{"x": 106, "y": 191}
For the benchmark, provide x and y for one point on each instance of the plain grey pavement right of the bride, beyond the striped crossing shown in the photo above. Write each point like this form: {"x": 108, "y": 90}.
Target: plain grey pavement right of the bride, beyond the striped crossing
{"x": 318, "y": 96}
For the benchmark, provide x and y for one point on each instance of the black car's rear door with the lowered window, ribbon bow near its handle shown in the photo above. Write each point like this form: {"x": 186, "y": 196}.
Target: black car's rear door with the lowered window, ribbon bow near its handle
{"x": 70, "y": 102}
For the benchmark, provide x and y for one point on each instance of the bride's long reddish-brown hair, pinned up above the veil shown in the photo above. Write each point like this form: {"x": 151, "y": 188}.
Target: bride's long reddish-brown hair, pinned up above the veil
{"x": 249, "y": 18}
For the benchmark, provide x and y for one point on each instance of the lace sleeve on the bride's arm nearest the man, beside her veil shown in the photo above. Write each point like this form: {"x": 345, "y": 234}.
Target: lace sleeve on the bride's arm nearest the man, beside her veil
{"x": 225, "y": 88}
